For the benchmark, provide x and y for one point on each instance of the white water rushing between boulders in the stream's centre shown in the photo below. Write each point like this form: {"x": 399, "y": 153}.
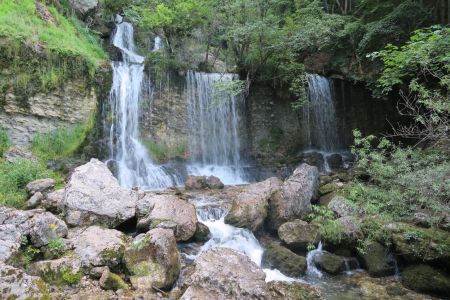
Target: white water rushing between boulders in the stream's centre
{"x": 225, "y": 235}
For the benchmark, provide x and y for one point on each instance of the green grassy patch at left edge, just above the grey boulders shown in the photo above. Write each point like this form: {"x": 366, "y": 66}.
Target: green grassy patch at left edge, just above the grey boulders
{"x": 15, "y": 176}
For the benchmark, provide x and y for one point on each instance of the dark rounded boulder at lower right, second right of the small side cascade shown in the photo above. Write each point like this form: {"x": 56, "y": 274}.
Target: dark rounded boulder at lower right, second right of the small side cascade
{"x": 377, "y": 260}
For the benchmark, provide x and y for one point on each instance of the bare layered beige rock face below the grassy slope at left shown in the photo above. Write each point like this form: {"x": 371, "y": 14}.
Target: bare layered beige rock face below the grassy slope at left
{"x": 71, "y": 104}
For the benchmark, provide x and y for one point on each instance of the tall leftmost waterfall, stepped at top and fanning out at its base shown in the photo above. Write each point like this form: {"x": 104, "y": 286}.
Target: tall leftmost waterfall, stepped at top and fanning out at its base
{"x": 134, "y": 166}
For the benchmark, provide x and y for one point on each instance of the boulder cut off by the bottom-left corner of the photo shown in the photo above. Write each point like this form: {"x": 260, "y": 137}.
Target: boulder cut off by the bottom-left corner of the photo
{"x": 16, "y": 284}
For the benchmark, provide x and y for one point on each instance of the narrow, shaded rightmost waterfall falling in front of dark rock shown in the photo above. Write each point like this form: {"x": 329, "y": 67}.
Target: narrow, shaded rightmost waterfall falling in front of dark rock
{"x": 319, "y": 116}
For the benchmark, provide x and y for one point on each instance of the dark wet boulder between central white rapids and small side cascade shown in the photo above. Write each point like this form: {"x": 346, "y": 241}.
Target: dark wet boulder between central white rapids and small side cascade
{"x": 283, "y": 259}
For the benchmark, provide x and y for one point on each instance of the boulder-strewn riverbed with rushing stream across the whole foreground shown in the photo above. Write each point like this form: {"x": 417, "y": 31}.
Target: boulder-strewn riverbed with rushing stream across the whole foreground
{"x": 97, "y": 240}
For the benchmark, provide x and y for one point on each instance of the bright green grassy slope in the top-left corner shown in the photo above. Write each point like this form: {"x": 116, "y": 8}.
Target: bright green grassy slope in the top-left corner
{"x": 41, "y": 48}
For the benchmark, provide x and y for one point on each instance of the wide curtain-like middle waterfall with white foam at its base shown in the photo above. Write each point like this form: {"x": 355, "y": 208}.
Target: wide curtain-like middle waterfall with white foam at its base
{"x": 213, "y": 117}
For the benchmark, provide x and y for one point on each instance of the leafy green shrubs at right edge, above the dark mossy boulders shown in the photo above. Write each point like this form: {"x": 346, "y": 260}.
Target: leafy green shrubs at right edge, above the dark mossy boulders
{"x": 402, "y": 180}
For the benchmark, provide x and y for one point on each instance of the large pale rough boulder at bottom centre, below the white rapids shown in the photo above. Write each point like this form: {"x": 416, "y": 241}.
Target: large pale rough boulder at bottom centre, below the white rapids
{"x": 222, "y": 273}
